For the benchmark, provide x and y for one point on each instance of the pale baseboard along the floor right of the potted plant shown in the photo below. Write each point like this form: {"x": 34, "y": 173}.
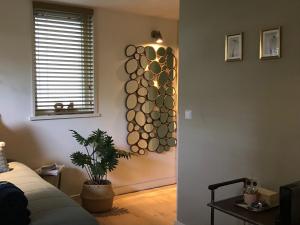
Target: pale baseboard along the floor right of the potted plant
{"x": 144, "y": 185}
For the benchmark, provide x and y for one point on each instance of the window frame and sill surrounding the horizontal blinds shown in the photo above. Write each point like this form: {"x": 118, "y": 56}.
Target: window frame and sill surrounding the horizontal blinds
{"x": 70, "y": 9}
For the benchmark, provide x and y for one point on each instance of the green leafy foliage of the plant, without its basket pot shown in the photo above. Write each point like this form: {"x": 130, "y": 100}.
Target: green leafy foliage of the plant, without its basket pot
{"x": 100, "y": 155}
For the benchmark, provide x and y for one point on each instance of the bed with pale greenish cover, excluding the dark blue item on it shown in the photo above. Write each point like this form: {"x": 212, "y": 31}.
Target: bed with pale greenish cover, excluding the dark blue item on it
{"x": 47, "y": 204}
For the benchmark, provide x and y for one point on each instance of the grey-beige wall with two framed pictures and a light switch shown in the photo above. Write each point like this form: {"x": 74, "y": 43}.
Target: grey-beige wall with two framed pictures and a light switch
{"x": 245, "y": 114}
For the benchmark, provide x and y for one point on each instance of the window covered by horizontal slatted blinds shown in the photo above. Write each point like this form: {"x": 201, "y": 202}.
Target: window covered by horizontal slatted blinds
{"x": 63, "y": 60}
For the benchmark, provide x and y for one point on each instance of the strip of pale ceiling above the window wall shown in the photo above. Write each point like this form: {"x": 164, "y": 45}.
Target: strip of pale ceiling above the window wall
{"x": 159, "y": 8}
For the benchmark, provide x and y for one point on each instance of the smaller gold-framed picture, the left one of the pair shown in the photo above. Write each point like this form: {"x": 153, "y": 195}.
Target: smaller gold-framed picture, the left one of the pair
{"x": 234, "y": 47}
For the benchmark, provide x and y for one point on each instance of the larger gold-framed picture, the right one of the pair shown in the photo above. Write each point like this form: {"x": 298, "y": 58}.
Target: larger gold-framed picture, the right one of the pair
{"x": 270, "y": 43}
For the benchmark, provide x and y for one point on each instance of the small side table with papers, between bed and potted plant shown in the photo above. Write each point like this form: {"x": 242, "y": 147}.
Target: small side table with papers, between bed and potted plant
{"x": 51, "y": 170}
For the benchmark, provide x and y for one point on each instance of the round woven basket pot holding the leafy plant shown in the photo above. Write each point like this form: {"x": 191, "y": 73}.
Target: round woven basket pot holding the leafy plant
{"x": 97, "y": 198}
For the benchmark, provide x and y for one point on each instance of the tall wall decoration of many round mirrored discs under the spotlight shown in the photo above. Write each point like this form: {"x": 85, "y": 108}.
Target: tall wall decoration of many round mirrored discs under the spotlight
{"x": 151, "y": 98}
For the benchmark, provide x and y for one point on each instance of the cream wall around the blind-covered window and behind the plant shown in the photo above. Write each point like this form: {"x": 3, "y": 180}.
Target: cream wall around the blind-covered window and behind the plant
{"x": 39, "y": 142}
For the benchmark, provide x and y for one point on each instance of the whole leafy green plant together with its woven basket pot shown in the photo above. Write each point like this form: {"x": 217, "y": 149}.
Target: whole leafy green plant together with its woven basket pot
{"x": 99, "y": 158}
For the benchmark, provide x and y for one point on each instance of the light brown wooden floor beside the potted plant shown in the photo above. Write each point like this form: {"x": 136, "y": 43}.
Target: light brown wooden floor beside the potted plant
{"x": 150, "y": 207}
